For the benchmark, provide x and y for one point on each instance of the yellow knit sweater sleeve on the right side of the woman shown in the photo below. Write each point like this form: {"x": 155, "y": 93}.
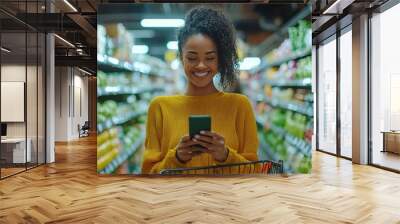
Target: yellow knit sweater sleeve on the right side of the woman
{"x": 246, "y": 130}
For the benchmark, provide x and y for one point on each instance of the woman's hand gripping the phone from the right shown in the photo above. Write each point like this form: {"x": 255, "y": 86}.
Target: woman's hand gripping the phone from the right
{"x": 214, "y": 144}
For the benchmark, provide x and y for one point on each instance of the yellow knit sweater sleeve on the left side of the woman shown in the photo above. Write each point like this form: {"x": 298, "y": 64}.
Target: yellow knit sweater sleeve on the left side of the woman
{"x": 155, "y": 158}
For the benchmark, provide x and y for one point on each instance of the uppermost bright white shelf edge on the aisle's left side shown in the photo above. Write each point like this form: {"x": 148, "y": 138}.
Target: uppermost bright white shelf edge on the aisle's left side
{"x": 111, "y": 64}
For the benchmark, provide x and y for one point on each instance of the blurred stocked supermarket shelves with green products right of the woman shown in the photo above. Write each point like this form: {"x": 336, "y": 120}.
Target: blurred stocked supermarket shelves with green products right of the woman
{"x": 280, "y": 88}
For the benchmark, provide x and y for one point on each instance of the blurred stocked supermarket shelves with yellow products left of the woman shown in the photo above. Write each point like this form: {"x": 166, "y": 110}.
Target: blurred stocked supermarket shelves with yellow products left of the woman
{"x": 126, "y": 85}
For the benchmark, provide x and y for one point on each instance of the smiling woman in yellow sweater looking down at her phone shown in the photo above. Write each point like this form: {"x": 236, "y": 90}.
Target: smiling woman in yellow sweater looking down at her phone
{"x": 206, "y": 47}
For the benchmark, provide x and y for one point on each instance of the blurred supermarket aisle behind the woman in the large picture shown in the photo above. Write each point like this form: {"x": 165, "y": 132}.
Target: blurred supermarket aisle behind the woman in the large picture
{"x": 137, "y": 60}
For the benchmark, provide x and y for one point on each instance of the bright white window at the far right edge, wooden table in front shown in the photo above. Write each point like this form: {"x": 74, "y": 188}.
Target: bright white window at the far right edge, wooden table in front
{"x": 385, "y": 88}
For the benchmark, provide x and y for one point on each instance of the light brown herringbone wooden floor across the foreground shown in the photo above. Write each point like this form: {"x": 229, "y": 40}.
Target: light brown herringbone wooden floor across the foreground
{"x": 70, "y": 191}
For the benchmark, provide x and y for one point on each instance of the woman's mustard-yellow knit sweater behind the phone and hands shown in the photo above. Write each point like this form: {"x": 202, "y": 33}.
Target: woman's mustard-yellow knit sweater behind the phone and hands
{"x": 231, "y": 116}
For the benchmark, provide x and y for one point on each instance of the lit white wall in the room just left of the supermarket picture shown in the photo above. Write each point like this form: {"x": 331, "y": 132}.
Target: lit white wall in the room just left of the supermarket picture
{"x": 70, "y": 83}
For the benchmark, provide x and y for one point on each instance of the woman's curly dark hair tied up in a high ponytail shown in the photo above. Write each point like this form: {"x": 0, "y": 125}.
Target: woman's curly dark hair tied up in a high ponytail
{"x": 214, "y": 24}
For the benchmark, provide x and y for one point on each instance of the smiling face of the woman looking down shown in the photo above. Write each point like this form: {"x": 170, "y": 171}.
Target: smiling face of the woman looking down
{"x": 200, "y": 60}
